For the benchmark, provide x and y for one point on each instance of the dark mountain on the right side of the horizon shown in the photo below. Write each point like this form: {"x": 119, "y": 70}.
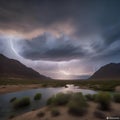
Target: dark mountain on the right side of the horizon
{"x": 109, "y": 71}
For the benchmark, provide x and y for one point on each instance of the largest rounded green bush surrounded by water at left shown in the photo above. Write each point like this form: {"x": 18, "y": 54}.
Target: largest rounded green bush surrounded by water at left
{"x": 19, "y": 103}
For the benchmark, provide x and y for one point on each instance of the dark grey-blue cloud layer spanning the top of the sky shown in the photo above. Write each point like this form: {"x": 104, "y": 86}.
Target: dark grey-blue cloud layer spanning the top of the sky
{"x": 87, "y": 16}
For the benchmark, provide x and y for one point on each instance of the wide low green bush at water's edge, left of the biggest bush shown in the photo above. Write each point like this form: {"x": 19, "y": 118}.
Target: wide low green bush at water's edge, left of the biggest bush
{"x": 59, "y": 99}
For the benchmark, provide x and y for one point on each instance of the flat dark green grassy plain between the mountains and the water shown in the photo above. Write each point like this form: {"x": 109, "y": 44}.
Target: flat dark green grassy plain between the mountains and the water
{"x": 104, "y": 85}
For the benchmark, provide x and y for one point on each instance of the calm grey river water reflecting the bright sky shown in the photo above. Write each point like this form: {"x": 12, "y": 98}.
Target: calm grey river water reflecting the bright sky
{"x": 6, "y": 108}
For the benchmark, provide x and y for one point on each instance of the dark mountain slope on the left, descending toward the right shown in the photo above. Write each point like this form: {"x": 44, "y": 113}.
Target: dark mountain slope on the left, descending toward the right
{"x": 13, "y": 68}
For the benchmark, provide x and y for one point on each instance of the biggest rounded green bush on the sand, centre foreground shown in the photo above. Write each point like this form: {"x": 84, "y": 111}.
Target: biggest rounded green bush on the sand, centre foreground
{"x": 77, "y": 105}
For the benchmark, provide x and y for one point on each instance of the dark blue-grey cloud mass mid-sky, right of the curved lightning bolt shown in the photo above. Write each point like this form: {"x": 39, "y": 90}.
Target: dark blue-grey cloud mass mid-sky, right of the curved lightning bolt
{"x": 48, "y": 47}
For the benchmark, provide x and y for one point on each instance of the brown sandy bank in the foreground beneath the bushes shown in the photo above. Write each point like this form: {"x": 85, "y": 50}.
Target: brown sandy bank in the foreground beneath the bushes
{"x": 93, "y": 113}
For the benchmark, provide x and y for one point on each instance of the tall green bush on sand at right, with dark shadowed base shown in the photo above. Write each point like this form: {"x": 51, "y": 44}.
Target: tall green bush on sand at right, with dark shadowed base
{"x": 104, "y": 100}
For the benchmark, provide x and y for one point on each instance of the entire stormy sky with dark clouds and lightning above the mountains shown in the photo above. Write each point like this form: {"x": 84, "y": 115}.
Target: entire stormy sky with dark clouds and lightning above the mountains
{"x": 63, "y": 39}
